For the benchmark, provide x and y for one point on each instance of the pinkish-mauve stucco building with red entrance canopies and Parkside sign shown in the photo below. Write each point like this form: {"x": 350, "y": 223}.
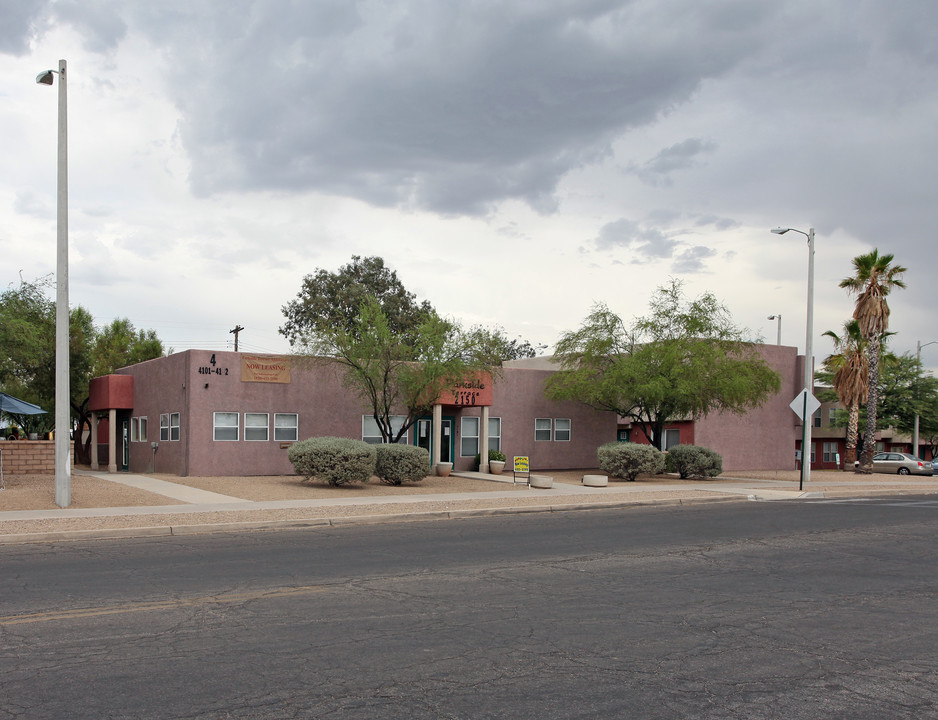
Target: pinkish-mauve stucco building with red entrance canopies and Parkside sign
{"x": 224, "y": 413}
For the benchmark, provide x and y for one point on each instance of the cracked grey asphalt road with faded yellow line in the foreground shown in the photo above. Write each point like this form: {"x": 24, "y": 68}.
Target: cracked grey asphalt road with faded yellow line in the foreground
{"x": 742, "y": 610}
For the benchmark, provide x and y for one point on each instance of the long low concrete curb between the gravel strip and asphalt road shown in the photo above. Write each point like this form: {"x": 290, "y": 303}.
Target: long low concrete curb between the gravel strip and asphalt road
{"x": 163, "y": 531}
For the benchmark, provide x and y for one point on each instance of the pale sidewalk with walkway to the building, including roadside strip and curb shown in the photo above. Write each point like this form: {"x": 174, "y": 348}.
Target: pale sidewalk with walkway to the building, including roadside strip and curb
{"x": 204, "y": 511}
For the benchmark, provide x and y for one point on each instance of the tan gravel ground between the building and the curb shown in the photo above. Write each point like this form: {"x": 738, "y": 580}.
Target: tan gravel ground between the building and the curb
{"x": 38, "y": 493}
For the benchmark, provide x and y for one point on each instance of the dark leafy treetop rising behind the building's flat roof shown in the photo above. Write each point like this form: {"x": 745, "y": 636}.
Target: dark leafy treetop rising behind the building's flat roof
{"x": 328, "y": 301}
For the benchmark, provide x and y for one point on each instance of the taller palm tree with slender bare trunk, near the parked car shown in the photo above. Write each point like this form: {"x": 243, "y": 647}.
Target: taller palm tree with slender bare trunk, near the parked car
{"x": 874, "y": 278}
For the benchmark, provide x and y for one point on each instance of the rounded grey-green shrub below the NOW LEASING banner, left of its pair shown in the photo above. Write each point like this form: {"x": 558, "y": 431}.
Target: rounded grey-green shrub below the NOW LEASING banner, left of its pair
{"x": 338, "y": 461}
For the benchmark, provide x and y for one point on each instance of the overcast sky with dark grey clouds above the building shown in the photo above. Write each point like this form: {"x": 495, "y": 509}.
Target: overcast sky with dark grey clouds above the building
{"x": 514, "y": 161}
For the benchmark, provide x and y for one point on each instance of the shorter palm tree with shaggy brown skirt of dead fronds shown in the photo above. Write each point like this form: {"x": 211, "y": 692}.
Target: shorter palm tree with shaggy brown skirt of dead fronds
{"x": 850, "y": 367}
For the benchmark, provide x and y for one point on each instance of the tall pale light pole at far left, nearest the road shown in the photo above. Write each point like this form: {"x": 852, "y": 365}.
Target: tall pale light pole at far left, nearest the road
{"x": 63, "y": 470}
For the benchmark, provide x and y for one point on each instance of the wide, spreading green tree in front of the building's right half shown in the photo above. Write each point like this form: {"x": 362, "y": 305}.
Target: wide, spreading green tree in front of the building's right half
{"x": 683, "y": 360}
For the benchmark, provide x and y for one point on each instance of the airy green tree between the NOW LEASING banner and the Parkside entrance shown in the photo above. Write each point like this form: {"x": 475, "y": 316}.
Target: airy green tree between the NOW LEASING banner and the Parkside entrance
{"x": 394, "y": 374}
